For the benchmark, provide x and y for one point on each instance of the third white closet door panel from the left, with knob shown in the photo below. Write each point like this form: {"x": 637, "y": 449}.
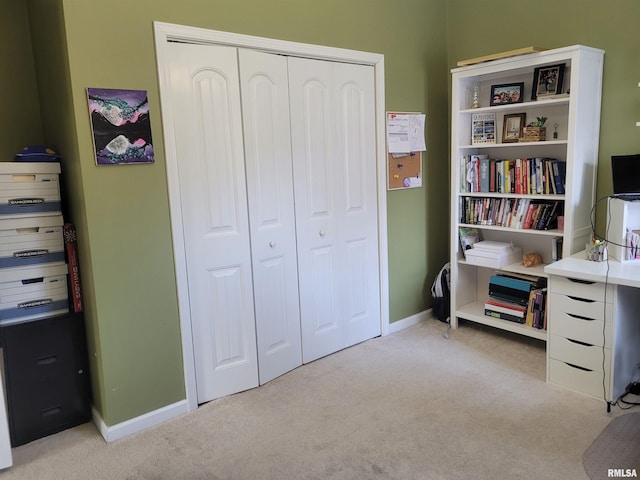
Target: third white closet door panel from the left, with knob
{"x": 313, "y": 140}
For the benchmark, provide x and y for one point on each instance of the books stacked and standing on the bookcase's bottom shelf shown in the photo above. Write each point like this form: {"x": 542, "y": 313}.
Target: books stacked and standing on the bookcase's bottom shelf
{"x": 519, "y": 299}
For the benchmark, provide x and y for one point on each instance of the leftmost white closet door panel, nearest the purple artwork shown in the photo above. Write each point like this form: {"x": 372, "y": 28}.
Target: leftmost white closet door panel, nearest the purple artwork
{"x": 205, "y": 92}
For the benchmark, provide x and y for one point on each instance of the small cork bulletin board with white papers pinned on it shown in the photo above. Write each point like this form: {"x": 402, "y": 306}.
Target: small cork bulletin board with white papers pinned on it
{"x": 405, "y": 143}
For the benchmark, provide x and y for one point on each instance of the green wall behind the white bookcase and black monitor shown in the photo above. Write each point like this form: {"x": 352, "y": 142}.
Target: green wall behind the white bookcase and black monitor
{"x": 611, "y": 26}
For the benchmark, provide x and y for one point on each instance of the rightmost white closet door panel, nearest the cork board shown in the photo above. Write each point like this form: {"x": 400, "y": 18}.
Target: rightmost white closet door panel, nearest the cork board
{"x": 356, "y": 197}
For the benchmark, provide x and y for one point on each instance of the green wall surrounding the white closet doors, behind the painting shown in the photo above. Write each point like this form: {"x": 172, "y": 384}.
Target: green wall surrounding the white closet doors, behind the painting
{"x": 122, "y": 212}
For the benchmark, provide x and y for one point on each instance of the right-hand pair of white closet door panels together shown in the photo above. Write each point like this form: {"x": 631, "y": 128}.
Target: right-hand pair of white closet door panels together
{"x": 333, "y": 138}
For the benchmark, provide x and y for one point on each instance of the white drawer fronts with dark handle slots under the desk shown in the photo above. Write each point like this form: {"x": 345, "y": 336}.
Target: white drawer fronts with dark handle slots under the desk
{"x": 580, "y": 320}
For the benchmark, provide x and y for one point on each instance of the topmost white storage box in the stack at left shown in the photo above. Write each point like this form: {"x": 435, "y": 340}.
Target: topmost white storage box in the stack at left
{"x": 28, "y": 189}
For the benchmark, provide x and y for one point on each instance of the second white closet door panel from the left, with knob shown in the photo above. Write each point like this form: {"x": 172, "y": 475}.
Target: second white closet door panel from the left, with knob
{"x": 265, "y": 107}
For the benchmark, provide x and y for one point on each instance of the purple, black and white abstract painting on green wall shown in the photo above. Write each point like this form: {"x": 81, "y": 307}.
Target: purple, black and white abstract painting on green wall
{"x": 121, "y": 126}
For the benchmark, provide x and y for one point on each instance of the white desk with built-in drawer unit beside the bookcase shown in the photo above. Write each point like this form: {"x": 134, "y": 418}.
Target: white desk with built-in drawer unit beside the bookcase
{"x": 593, "y": 320}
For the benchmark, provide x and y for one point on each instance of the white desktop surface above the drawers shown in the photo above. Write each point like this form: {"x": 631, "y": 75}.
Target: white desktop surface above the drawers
{"x": 611, "y": 271}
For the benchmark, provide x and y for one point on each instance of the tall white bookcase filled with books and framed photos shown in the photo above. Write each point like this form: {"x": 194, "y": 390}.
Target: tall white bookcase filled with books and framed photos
{"x": 572, "y": 139}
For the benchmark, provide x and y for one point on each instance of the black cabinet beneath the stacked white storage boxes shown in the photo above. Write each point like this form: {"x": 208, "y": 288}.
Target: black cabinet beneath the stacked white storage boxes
{"x": 47, "y": 376}
